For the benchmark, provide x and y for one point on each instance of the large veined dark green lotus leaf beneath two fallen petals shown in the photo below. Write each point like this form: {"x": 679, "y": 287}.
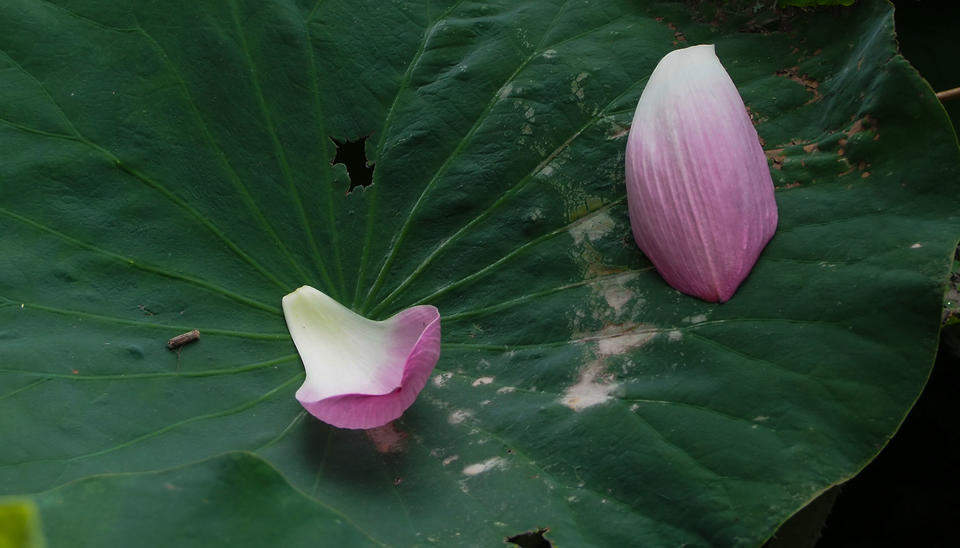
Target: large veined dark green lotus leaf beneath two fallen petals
{"x": 166, "y": 166}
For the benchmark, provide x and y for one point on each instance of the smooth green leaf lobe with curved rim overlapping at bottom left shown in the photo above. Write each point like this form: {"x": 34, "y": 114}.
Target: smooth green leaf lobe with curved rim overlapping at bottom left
{"x": 235, "y": 499}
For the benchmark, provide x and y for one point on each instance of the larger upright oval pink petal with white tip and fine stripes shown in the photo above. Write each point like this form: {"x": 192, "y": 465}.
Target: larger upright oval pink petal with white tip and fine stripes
{"x": 698, "y": 186}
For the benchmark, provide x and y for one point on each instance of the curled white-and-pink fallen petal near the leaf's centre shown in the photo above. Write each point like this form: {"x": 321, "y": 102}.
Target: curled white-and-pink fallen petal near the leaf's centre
{"x": 360, "y": 373}
